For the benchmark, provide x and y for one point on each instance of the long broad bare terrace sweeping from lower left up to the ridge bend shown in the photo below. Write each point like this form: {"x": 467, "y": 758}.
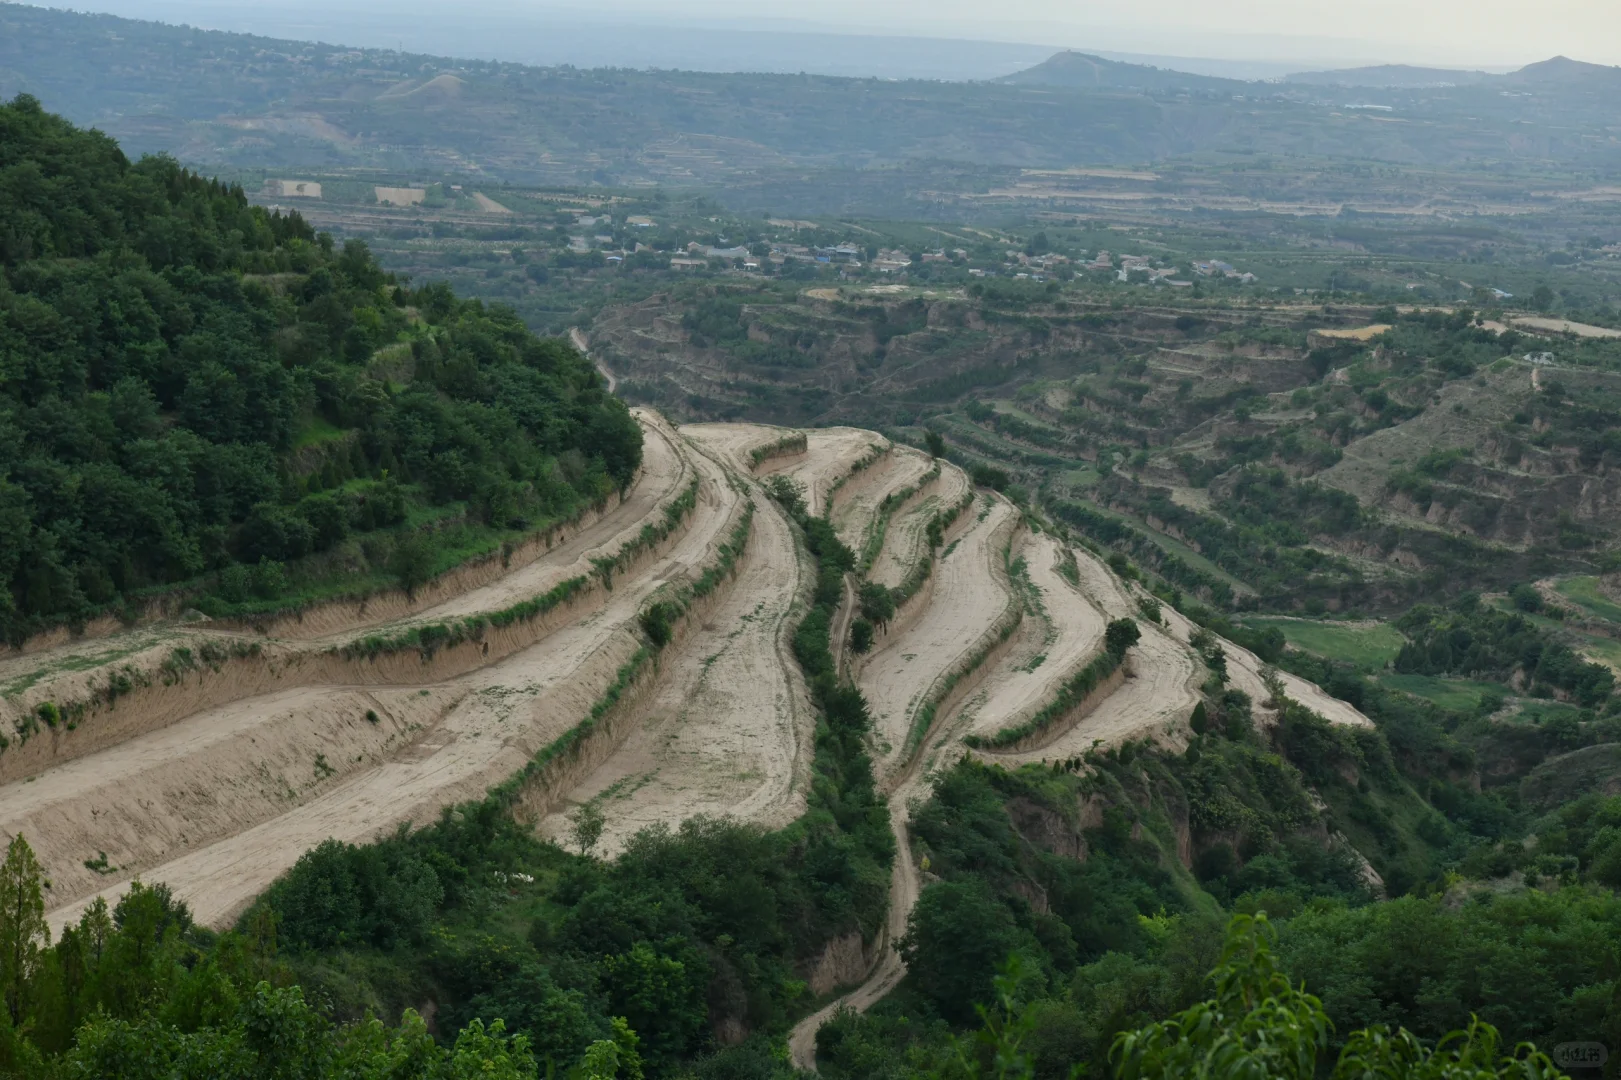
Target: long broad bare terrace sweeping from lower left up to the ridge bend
{"x": 502, "y": 716}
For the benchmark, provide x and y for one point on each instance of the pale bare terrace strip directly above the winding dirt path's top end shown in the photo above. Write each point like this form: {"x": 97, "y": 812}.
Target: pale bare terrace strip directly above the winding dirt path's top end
{"x": 969, "y": 599}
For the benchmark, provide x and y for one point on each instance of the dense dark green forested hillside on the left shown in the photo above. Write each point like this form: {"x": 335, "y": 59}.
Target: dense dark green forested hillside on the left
{"x": 192, "y": 387}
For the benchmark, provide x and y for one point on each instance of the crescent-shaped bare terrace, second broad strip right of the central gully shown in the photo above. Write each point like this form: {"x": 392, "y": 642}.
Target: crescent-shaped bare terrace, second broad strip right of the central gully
{"x": 1066, "y": 638}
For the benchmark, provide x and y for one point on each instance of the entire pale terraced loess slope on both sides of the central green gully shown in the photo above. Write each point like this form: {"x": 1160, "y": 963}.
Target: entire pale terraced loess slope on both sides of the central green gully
{"x": 216, "y": 776}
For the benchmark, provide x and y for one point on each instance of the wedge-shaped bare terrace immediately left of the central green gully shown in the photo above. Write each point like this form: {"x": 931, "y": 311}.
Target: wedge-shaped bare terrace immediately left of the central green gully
{"x": 729, "y": 732}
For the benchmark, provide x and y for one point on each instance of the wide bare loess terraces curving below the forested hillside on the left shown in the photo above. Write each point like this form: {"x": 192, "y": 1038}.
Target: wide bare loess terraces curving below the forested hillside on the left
{"x": 223, "y": 800}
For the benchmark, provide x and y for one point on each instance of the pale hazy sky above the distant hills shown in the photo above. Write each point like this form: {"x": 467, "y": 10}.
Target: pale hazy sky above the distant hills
{"x": 1452, "y": 33}
